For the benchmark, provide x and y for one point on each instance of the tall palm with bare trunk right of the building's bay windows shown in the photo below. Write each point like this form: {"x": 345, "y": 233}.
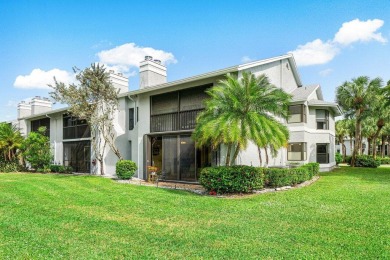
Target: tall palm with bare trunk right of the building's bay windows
{"x": 355, "y": 97}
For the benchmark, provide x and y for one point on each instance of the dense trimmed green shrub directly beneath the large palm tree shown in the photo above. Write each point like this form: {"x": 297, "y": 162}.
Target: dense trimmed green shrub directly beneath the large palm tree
{"x": 232, "y": 179}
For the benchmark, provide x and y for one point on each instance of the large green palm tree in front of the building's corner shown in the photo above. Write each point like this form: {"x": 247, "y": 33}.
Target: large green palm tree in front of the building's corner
{"x": 243, "y": 110}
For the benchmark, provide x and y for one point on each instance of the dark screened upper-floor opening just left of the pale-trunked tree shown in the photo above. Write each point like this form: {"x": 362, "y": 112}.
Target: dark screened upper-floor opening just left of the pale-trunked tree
{"x": 75, "y": 128}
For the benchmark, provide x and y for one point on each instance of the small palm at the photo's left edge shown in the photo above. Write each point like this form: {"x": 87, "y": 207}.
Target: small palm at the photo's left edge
{"x": 10, "y": 141}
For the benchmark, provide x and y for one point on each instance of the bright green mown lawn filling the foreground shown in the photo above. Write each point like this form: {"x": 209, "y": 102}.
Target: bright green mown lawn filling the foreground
{"x": 345, "y": 214}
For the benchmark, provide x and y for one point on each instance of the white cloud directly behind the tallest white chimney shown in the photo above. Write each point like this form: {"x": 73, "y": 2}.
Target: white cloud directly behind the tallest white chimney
{"x": 124, "y": 57}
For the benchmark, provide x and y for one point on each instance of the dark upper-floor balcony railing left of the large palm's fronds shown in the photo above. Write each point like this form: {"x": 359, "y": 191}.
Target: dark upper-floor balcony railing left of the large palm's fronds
{"x": 184, "y": 120}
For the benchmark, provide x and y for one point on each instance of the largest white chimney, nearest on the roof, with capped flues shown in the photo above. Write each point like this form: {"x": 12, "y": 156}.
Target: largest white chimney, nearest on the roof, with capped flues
{"x": 151, "y": 73}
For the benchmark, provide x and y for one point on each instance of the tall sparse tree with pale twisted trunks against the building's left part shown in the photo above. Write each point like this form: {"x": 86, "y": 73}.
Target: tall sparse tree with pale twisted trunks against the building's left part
{"x": 94, "y": 99}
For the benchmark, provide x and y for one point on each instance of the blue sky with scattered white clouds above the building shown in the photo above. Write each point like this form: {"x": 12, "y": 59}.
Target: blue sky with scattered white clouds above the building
{"x": 333, "y": 41}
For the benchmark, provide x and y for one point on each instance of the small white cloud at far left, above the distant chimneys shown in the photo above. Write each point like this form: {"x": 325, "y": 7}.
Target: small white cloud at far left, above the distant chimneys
{"x": 39, "y": 79}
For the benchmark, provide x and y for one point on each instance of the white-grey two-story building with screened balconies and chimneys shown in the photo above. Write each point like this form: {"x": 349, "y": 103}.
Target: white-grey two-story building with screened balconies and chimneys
{"x": 154, "y": 123}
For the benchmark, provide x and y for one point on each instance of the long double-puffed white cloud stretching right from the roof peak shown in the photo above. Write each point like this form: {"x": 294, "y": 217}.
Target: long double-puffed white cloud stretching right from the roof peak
{"x": 320, "y": 52}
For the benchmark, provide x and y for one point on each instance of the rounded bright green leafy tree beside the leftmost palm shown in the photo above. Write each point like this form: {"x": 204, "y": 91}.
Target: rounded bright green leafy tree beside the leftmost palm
{"x": 36, "y": 149}
